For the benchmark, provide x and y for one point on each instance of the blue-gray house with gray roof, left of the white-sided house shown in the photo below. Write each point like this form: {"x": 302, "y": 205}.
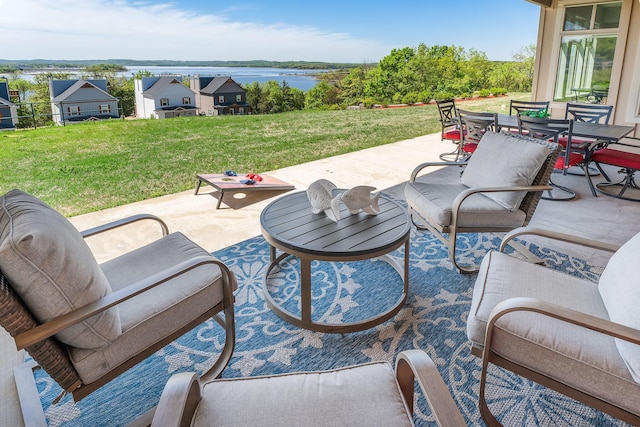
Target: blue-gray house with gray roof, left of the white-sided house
{"x": 74, "y": 101}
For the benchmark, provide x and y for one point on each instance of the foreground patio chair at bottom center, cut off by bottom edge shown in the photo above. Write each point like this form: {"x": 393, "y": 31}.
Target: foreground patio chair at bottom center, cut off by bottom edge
{"x": 363, "y": 395}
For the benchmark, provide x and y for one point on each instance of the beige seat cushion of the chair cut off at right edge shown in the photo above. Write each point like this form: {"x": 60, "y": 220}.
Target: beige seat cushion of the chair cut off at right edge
{"x": 576, "y": 356}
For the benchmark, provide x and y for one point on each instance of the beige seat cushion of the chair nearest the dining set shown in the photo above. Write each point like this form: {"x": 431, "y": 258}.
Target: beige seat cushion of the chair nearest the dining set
{"x": 434, "y": 201}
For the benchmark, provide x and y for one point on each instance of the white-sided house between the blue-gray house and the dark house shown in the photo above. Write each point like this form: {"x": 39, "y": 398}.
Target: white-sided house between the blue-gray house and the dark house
{"x": 164, "y": 97}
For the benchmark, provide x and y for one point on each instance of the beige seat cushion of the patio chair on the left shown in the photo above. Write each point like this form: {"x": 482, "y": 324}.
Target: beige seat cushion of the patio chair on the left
{"x": 157, "y": 313}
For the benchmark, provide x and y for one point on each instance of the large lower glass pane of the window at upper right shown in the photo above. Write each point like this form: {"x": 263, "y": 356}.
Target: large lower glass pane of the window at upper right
{"x": 584, "y": 68}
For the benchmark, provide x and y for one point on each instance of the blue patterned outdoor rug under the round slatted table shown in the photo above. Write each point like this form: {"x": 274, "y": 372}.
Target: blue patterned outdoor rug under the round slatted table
{"x": 433, "y": 319}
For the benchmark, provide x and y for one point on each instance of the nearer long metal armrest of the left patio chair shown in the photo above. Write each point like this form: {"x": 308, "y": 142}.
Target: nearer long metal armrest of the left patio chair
{"x": 52, "y": 327}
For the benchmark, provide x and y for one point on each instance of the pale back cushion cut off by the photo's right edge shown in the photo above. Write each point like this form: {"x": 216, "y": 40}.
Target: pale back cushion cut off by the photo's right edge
{"x": 620, "y": 292}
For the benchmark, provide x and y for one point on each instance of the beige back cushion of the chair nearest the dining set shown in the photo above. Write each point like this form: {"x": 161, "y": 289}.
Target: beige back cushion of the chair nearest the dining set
{"x": 505, "y": 160}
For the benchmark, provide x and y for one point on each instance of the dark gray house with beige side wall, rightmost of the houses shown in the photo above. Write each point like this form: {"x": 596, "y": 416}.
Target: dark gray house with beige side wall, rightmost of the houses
{"x": 219, "y": 95}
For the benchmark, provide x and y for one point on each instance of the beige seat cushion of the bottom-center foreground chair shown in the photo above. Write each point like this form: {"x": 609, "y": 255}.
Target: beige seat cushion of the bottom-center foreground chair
{"x": 365, "y": 395}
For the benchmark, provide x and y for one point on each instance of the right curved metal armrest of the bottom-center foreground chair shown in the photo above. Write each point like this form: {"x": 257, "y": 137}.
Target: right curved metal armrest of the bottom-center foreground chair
{"x": 412, "y": 365}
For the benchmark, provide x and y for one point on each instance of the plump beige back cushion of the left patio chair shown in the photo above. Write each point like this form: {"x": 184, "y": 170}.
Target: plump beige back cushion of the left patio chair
{"x": 52, "y": 269}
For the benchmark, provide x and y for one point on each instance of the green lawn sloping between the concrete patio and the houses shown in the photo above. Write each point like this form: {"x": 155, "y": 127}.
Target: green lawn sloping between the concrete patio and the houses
{"x": 91, "y": 166}
